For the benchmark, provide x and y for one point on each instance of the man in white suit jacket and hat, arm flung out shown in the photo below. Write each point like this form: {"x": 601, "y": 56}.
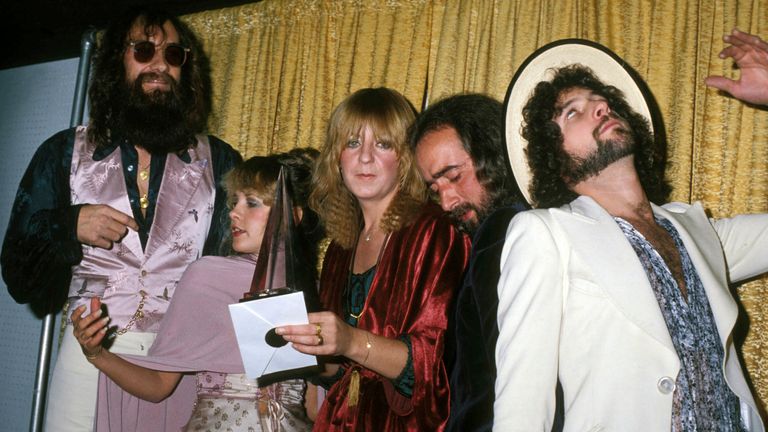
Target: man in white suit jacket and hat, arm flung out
{"x": 576, "y": 299}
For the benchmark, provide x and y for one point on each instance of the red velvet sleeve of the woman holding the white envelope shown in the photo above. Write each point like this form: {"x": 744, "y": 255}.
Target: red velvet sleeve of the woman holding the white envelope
{"x": 436, "y": 266}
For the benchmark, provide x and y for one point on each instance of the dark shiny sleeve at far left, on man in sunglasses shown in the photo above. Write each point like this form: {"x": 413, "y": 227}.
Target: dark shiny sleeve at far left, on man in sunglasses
{"x": 40, "y": 243}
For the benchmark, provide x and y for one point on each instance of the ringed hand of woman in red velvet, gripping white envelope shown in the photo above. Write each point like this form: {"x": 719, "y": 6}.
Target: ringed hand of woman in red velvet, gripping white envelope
{"x": 326, "y": 334}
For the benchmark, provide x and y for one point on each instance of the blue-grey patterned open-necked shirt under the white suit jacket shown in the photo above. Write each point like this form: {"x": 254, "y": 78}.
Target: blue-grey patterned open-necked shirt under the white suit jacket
{"x": 702, "y": 401}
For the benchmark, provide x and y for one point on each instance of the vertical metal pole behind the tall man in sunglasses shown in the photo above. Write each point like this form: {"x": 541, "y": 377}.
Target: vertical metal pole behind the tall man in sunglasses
{"x": 49, "y": 322}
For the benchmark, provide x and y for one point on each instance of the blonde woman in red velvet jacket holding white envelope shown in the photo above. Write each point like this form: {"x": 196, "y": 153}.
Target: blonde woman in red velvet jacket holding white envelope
{"x": 388, "y": 276}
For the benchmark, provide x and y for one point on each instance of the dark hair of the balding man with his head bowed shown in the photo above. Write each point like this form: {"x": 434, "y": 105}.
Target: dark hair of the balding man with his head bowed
{"x": 479, "y": 121}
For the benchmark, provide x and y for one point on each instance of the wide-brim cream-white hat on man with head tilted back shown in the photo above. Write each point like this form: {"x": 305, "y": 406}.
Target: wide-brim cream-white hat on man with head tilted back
{"x": 541, "y": 66}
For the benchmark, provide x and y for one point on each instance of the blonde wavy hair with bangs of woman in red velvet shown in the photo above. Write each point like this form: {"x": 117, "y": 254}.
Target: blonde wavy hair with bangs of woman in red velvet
{"x": 388, "y": 114}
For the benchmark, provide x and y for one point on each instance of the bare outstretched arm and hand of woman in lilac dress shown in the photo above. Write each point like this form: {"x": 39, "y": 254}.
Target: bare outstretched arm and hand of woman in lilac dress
{"x": 144, "y": 383}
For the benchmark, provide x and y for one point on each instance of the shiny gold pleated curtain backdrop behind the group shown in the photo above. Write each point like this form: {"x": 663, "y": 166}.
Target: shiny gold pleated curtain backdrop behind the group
{"x": 280, "y": 66}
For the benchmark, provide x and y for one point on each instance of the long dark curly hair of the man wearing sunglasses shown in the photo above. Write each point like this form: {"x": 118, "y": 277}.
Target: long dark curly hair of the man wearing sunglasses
{"x": 109, "y": 78}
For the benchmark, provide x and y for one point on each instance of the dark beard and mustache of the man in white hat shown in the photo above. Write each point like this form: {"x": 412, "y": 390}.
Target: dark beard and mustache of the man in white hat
{"x": 607, "y": 152}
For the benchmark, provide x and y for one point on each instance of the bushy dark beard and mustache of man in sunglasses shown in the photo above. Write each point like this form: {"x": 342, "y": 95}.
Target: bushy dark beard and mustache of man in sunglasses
{"x": 155, "y": 121}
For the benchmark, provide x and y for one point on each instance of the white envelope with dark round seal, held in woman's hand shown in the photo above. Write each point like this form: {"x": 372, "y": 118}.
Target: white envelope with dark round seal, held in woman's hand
{"x": 254, "y": 318}
